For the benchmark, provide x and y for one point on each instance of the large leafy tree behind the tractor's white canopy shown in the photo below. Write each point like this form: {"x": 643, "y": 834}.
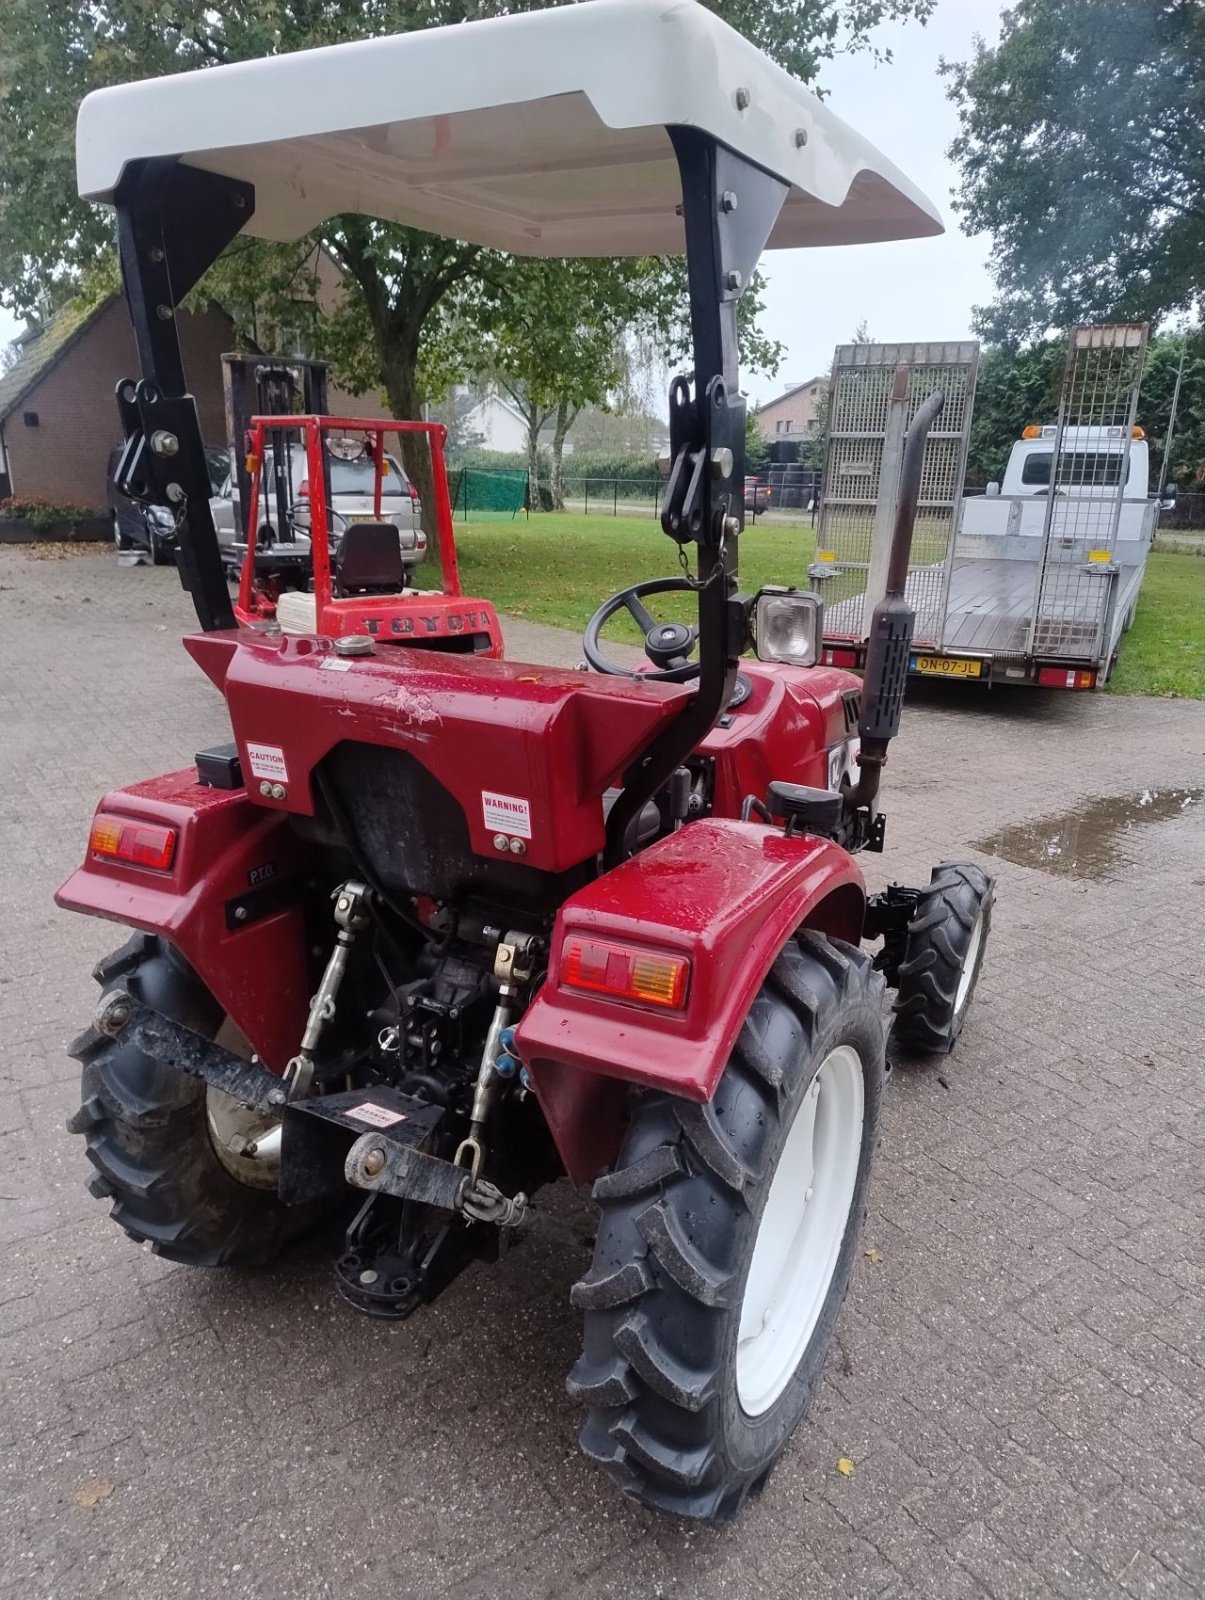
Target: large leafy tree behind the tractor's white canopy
{"x": 54, "y": 52}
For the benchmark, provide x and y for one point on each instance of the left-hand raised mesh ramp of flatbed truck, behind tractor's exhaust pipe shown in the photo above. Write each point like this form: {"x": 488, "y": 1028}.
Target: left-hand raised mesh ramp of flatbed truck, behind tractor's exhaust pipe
{"x": 876, "y": 393}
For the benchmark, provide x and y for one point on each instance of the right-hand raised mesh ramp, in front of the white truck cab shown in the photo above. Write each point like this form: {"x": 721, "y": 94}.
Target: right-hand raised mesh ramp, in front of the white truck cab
{"x": 1087, "y": 482}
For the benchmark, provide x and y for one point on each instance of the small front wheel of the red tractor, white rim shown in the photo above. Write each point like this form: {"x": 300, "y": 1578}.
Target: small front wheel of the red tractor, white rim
{"x": 943, "y": 958}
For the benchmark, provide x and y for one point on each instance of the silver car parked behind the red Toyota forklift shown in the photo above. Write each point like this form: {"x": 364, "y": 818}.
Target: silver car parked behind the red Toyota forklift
{"x": 351, "y": 500}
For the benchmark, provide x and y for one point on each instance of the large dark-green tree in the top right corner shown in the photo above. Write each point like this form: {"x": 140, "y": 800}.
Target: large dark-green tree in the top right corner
{"x": 1083, "y": 153}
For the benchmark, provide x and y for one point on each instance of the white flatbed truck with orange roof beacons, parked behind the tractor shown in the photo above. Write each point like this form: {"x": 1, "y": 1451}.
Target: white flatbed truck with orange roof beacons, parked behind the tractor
{"x": 1043, "y": 574}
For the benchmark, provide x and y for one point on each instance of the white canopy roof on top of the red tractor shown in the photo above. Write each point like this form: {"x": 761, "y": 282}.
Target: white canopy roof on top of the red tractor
{"x": 542, "y": 134}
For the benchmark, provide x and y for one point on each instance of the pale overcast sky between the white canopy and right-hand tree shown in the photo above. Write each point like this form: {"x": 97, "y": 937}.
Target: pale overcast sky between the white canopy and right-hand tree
{"x": 916, "y": 290}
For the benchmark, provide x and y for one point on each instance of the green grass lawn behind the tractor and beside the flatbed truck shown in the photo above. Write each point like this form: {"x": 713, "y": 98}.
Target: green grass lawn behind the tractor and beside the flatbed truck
{"x": 559, "y": 569}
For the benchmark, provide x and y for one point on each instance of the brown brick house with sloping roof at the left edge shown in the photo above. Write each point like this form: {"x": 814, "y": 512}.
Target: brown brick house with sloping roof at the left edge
{"x": 58, "y": 417}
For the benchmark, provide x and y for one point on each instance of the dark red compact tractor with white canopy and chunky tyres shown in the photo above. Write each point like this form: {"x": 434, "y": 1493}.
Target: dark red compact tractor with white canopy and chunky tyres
{"x": 439, "y": 929}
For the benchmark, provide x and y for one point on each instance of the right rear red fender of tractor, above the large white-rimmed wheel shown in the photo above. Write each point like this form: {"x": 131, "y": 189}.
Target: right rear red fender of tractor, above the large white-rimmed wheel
{"x": 726, "y": 897}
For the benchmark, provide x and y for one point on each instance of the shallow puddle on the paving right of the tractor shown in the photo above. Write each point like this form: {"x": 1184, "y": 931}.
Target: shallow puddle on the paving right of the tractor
{"x": 1091, "y": 841}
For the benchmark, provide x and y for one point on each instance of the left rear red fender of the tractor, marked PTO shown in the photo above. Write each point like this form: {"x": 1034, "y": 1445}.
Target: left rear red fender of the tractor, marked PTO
{"x": 230, "y": 902}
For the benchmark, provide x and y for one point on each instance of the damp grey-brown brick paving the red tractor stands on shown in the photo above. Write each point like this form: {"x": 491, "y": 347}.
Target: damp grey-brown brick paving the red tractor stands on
{"x": 1020, "y": 1380}
